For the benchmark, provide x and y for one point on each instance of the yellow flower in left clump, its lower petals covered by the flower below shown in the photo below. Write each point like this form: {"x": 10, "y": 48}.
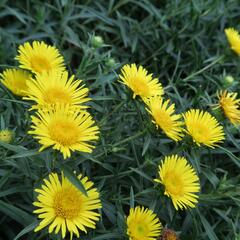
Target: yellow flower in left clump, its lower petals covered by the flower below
{"x": 54, "y": 87}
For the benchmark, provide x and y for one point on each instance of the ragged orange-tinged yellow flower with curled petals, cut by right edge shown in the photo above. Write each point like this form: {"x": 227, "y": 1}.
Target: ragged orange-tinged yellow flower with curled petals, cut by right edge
{"x": 230, "y": 105}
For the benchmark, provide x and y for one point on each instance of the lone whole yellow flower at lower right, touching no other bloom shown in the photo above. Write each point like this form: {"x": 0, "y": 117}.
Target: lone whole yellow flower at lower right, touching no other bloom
{"x": 180, "y": 181}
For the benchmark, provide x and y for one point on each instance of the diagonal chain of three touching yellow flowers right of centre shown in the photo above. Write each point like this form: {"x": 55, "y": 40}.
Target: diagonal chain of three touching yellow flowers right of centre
{"x": 200, "y": 125}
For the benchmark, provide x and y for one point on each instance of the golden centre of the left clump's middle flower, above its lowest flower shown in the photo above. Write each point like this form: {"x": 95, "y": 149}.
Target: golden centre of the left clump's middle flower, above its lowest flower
{"x": 56, "y": 95}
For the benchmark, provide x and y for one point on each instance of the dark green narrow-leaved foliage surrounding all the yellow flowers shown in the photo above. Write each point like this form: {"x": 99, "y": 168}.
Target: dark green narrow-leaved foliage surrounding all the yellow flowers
{"x": 183, "y": 44}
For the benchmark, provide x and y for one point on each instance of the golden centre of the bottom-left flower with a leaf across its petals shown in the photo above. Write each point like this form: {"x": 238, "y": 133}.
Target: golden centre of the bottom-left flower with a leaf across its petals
{"x": 67, "y": 203}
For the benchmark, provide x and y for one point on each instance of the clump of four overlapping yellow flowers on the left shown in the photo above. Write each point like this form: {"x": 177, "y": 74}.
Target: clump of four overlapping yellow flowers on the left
{"x": 62, "y": 120}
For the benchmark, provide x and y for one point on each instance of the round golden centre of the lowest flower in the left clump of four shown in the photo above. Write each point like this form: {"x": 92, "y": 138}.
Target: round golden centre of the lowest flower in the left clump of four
{"x": 64, "y": 132}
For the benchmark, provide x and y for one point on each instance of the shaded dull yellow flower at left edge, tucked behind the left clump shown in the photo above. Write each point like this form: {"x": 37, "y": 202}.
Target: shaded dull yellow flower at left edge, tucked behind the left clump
{"x": 15, "y": 80}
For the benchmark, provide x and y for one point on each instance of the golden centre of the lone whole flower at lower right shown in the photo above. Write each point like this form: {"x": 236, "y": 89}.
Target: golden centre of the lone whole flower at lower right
{"x": 174, "y": 185}
